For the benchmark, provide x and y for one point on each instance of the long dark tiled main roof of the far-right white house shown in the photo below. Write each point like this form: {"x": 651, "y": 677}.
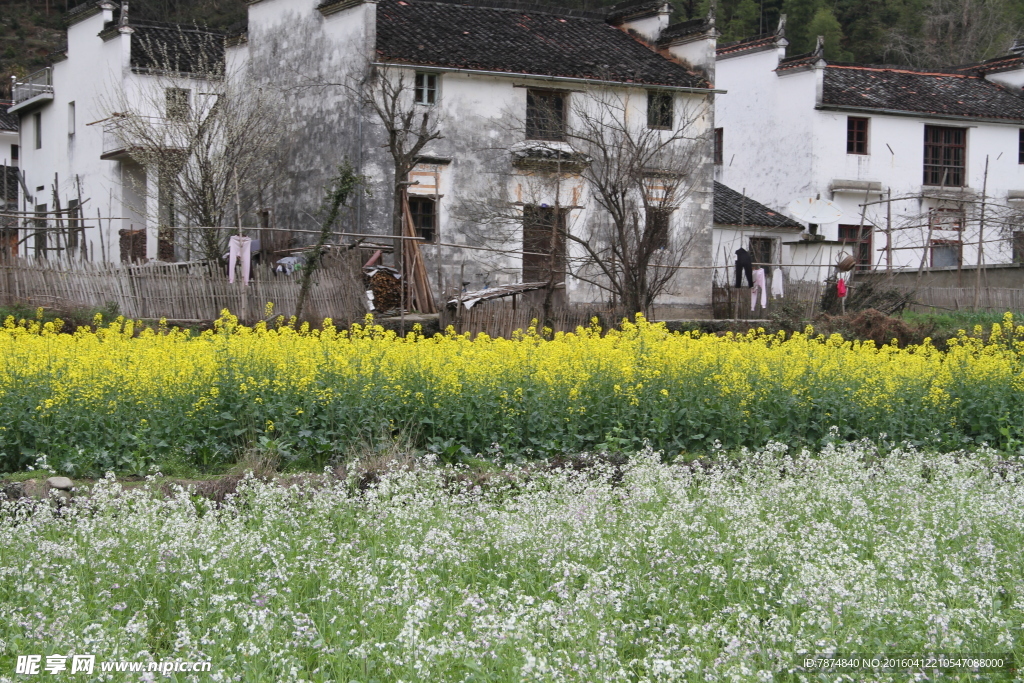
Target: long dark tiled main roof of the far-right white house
{"x": 925, "y": 93}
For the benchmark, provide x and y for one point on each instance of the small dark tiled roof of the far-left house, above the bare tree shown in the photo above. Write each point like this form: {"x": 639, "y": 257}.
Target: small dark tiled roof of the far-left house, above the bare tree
{"x": 177, "y": 49}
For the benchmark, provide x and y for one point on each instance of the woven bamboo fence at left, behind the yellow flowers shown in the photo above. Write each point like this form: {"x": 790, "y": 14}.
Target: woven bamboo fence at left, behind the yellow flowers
{"x": 193, "y": 292}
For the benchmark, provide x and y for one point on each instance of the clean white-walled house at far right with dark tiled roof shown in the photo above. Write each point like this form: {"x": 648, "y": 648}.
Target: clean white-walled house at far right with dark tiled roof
{"x": 800, "y": 127}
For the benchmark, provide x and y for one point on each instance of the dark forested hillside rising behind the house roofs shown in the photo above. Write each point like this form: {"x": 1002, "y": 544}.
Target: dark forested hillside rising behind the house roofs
{"x": 920, "y": 33}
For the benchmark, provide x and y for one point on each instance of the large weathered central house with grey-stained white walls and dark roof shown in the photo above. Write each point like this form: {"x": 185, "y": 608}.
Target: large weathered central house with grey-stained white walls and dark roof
{"x": 486, "y": 73}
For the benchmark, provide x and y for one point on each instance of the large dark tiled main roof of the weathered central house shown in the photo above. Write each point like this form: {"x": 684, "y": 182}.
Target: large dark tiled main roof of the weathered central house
{"x": 544, "y": 42}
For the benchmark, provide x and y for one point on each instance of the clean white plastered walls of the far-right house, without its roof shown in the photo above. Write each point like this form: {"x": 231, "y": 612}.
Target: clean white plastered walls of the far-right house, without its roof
{"x": 779, "y": 146}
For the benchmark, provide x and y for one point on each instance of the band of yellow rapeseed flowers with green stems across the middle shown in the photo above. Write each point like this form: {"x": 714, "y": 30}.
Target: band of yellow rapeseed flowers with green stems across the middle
{"x": 113, "y": 398}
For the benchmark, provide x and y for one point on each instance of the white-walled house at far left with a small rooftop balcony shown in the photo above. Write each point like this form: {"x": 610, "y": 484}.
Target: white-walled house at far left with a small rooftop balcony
{"x": 70, "y": 150}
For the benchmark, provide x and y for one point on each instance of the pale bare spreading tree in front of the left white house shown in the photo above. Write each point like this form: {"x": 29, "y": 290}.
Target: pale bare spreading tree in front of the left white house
{"x": 209, "y": 136}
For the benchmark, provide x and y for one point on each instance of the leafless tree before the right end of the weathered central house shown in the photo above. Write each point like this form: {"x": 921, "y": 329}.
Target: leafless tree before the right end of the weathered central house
{"x": 648, "y": 174}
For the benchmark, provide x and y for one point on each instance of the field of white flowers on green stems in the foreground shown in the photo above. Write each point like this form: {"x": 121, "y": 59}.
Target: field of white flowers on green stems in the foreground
{"x": 630, "y": 572}
